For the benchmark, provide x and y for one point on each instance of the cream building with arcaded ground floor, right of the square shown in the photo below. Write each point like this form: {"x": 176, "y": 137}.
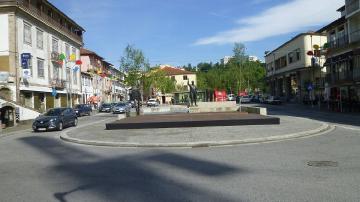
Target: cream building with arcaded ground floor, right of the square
{"x": 294, "y": 72}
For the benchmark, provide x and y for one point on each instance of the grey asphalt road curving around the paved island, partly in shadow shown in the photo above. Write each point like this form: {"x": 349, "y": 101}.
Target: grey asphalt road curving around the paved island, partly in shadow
{"x": 40, "y": 167}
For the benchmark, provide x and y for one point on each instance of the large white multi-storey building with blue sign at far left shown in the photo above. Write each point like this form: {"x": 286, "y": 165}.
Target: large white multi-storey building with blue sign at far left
{"x": 39, "y": 45}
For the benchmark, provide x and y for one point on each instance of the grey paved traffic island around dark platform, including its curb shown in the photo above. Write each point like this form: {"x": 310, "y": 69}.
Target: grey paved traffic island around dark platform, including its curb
{"x": 290, "y": 127}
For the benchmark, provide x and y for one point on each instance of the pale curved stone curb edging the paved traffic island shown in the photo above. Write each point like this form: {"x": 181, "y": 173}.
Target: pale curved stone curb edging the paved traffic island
{"x": 324, "y": 128}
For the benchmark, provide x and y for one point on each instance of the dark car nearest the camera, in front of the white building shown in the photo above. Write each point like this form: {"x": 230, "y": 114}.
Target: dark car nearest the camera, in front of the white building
{"x": 55, "y": 119}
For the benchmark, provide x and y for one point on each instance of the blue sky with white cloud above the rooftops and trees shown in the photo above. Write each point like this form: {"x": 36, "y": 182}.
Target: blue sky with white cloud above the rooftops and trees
{"x": 178, "y": 32}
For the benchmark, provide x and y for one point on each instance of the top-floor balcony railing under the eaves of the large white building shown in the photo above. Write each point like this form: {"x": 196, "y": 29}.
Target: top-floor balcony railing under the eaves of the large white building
{"x": 41, "y": 15}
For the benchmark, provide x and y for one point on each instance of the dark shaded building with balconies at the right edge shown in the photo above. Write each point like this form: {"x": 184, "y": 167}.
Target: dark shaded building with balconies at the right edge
{"x": 343, "y": 59}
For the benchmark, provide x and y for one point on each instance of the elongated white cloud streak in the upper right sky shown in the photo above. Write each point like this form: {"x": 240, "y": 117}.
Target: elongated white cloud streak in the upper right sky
{"x": 293, "y": 16}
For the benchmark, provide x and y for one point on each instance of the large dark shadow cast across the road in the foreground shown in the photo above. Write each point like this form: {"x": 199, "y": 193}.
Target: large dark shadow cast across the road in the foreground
{"x": 129, "y": 177}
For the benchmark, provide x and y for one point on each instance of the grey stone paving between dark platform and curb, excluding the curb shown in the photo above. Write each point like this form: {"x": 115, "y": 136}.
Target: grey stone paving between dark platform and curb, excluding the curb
{"x": 288, "y": 125}
